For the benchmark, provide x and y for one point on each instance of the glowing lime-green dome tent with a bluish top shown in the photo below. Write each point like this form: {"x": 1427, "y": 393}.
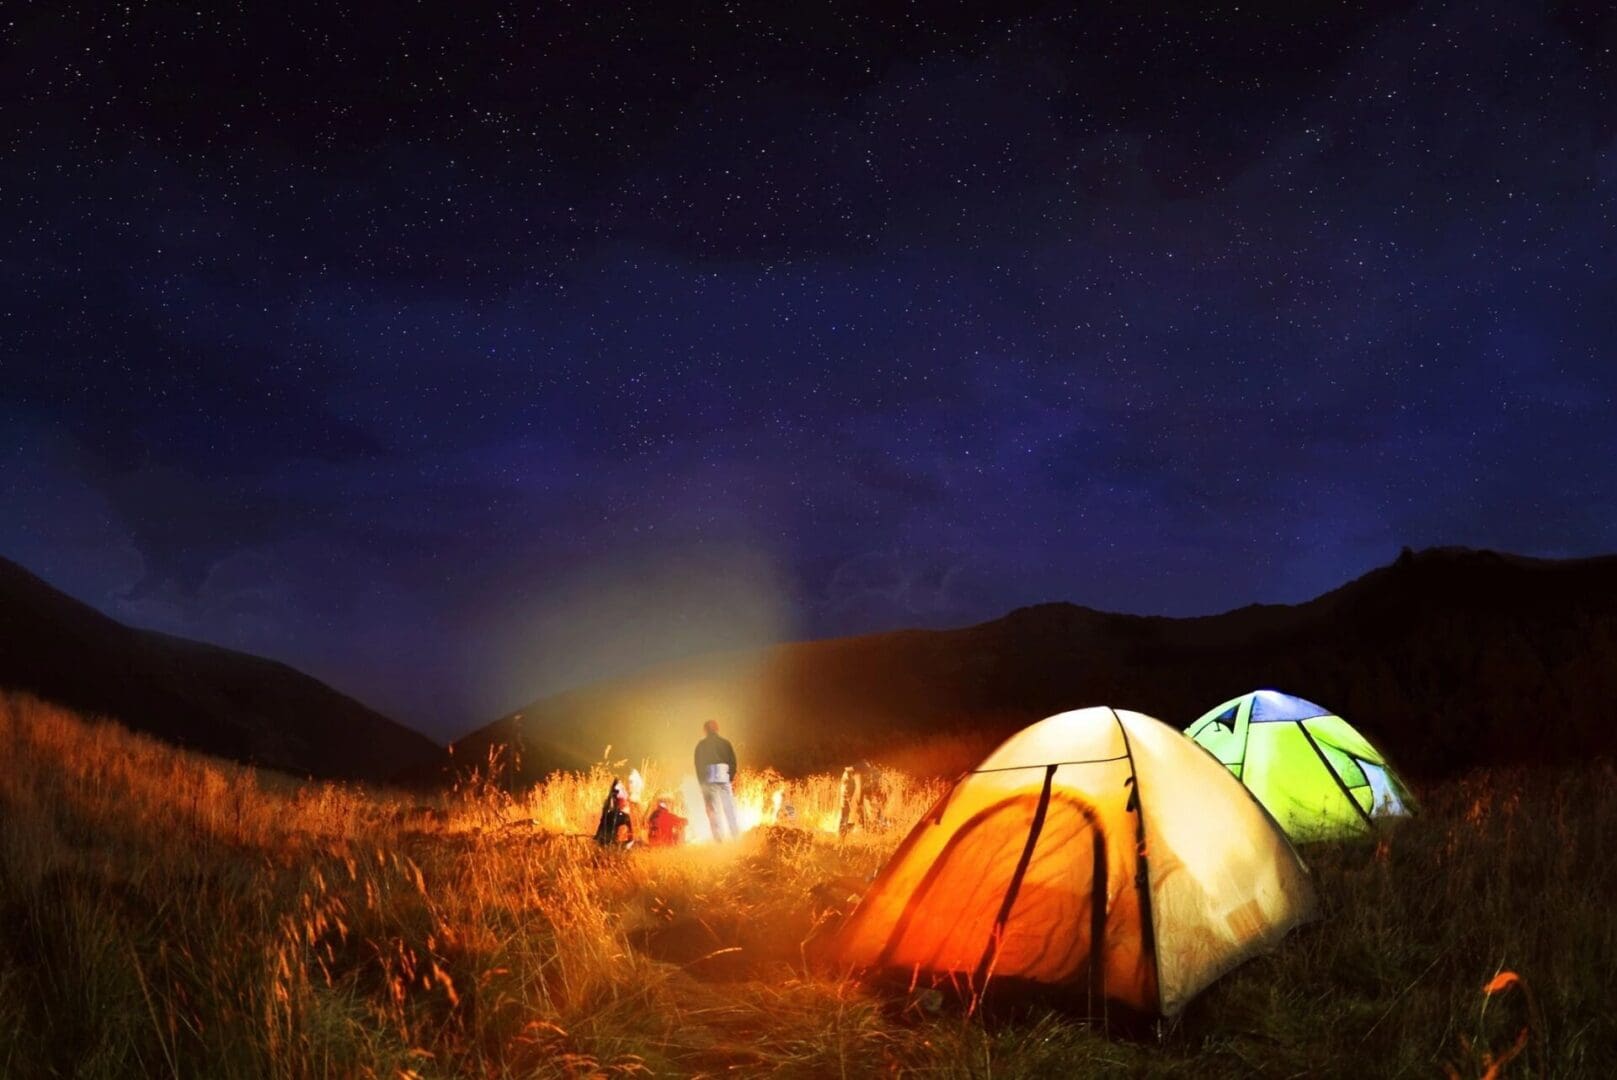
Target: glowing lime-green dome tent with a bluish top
{"x": 1311, "y": 769}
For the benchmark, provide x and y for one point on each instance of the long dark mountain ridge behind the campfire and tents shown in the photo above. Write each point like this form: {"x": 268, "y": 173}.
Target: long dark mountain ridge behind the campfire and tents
{"x": 1450, "y": 659}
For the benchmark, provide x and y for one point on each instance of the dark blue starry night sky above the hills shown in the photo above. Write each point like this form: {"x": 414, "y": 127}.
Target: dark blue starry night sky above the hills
{"x": 462, "y": 355}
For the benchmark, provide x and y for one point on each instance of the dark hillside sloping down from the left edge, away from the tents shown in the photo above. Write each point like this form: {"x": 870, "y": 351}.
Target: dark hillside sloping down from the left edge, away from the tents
{"x": 192, "y": 694}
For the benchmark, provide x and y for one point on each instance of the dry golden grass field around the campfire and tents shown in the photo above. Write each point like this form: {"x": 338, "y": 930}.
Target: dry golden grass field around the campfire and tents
{"x": 171, "y": 916}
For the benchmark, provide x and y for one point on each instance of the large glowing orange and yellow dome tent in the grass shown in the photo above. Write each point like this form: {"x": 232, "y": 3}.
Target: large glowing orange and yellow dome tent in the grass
{"x": 1099, "y": 850}
